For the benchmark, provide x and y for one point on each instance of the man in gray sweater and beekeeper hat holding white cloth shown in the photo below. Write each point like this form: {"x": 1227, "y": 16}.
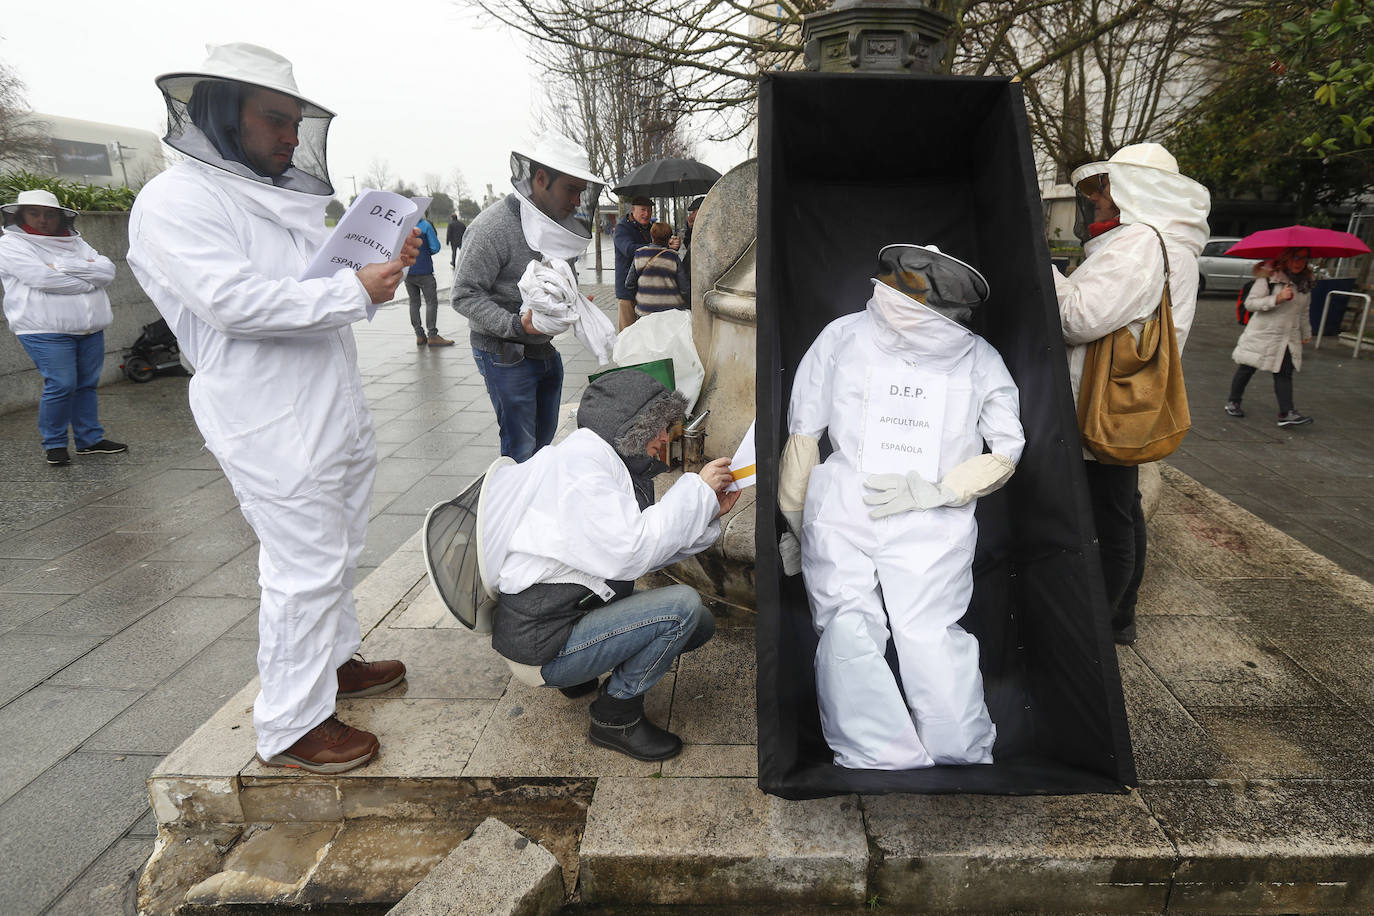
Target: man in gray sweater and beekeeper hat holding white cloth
{"x": 523, "y": 370}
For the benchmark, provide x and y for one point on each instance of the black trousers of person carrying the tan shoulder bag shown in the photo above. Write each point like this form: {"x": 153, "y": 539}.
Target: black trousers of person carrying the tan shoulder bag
{"x": 1120, "y": 525}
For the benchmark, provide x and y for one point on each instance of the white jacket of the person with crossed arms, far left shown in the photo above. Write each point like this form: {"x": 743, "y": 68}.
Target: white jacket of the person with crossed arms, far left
{"x": 54, "y": 285}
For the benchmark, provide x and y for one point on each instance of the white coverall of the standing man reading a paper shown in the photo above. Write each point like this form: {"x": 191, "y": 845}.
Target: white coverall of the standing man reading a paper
{"x": 280, "y": 400}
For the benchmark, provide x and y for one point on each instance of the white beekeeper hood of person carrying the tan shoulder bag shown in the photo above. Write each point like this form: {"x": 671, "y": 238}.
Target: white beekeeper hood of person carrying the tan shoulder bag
{"x": 1147, "y": 187}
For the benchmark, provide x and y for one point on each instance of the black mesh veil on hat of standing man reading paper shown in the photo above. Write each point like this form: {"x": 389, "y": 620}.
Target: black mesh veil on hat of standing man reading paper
{"x": 204, "y": 123}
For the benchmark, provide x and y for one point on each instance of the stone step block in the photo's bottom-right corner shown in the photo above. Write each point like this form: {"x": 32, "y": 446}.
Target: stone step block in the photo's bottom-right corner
{"x": 1269, "y": 847}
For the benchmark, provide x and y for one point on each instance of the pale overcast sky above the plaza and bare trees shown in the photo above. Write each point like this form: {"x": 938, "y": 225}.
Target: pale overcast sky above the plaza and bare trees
{"x": 421, "y": 84}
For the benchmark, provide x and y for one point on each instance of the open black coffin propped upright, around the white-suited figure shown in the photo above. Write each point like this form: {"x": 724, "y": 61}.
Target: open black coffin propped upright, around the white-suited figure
{"x": 848, "y": 164}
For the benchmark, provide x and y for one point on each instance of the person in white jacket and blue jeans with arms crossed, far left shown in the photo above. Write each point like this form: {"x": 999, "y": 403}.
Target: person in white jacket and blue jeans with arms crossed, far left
{"x": 56, "y": 303}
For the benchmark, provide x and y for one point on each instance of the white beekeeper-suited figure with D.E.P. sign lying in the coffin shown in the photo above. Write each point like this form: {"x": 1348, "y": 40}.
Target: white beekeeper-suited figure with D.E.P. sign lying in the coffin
{"x": 909, "y": 396}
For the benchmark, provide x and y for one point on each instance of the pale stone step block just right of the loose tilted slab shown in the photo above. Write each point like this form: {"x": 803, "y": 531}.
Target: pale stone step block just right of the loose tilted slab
{"x": 719, "y": 843}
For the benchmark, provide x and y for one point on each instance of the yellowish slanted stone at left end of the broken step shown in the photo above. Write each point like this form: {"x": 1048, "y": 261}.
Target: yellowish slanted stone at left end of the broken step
{"x": 269, "y": 866}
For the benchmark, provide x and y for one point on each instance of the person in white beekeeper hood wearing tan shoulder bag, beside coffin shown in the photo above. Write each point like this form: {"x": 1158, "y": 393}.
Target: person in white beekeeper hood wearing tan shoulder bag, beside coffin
{"x": 1130, "y": 208}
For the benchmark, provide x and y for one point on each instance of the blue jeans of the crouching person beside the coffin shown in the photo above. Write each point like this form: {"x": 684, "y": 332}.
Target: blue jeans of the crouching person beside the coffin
{"x": 635, "y": 639}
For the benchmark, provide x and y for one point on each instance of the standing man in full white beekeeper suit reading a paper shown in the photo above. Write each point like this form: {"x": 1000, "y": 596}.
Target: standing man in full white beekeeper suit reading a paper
{"x": 218, "y": 242}
